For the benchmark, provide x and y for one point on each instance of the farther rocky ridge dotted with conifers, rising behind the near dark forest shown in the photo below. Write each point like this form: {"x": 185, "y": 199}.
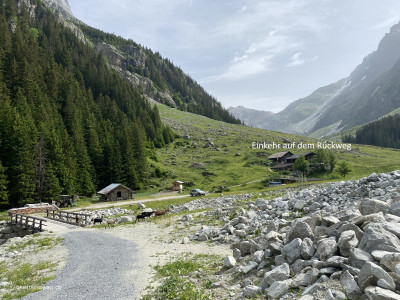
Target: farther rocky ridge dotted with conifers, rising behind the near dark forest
{"x": 158, "y": 77}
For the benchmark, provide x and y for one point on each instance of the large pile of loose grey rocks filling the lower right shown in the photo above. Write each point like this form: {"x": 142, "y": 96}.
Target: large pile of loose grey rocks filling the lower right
{"x": 341, "y": 241}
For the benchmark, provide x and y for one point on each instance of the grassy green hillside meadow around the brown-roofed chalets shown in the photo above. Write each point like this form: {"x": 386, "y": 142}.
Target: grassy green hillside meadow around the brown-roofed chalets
{"x": 183, "y": 160}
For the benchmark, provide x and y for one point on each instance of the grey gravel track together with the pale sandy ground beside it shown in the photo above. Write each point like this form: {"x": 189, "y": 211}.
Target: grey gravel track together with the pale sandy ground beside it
{"x": 134, "y": 250}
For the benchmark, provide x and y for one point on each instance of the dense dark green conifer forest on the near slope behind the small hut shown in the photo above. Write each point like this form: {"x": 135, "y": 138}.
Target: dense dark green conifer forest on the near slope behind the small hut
{"x": 68, "y": 123}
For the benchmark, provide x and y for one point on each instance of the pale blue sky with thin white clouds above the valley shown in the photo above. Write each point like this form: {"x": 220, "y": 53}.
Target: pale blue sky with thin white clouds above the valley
{"x": 261, "y": 54}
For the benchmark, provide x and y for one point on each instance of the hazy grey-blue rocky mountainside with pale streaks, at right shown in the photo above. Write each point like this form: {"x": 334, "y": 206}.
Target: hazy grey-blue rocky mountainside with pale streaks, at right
{"x": 371, "y": 91}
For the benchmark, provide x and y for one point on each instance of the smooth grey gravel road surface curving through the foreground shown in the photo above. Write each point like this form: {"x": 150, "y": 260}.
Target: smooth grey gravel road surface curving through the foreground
{"x": 100, "y": 266}
